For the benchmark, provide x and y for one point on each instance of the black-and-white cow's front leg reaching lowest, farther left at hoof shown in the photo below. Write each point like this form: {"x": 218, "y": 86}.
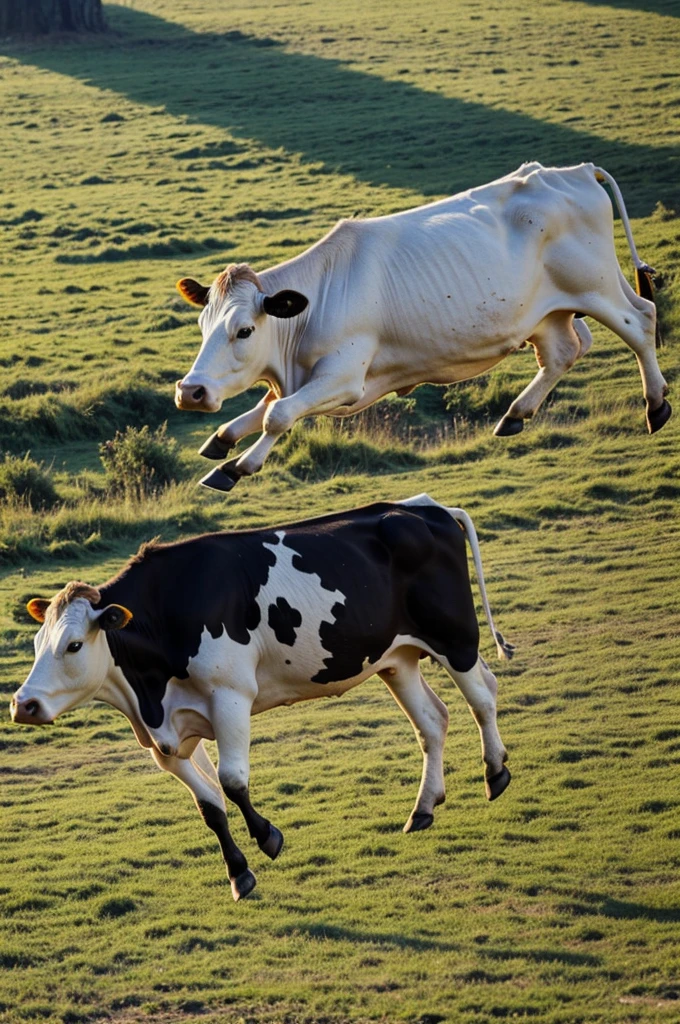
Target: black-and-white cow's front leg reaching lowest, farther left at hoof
{"x": 210, "y": 802}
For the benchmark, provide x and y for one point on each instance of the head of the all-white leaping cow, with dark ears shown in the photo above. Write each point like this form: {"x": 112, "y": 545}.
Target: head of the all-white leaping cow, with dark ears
{"x": 237, "y": 327}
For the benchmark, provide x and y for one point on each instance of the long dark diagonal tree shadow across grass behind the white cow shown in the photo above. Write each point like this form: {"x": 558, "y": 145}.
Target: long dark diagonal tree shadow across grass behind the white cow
{"x": 382, "y": 133}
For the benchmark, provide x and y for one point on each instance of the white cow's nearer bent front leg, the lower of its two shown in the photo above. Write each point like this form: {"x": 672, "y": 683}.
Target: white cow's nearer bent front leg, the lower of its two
{"x": 336, "y": 382}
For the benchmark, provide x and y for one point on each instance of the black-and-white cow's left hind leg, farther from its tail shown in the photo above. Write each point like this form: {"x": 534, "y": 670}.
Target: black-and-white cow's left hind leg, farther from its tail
{"x": 430, "y": 717}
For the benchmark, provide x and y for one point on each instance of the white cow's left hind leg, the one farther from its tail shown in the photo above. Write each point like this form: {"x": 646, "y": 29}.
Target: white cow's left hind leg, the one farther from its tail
{"x": 559, "y": 342}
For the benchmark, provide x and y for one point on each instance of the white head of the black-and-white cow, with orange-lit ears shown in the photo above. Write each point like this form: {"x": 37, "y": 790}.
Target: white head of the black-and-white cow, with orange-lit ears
{"x": 72, "y": 655}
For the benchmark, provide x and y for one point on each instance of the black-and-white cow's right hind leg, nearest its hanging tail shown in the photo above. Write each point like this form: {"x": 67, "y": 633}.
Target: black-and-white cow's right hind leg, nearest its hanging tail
{"x": 480, "y": 688}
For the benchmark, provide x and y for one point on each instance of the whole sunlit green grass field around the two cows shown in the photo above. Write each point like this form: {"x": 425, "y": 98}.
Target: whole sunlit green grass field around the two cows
{"x": 199, "y": 134}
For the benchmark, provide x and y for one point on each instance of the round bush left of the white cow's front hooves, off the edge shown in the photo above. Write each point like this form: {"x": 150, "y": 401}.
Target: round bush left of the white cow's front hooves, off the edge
{"x": 141, "y": 462}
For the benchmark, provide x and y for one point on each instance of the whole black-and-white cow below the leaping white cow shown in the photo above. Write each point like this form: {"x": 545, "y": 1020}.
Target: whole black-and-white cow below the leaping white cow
{"x": 191, "y": 639}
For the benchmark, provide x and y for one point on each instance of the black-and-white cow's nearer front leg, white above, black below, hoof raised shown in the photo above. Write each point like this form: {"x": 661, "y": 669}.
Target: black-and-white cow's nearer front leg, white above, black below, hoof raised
{"x": 231, "y": 716}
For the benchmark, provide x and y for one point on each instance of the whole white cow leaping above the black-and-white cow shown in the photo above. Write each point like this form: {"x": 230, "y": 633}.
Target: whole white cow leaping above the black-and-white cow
{"x": 440, "y": 293}
